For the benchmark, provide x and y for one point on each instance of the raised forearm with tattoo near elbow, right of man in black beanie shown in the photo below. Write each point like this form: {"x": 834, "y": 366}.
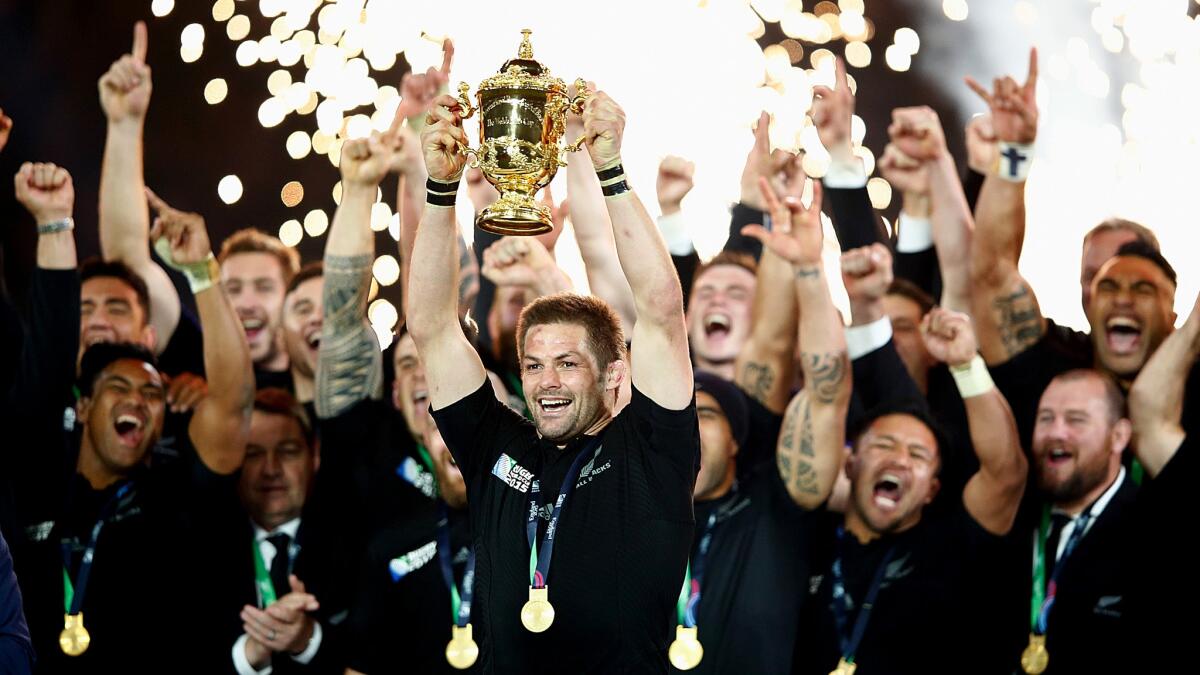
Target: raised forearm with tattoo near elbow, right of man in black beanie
{"x": 765, "y": 367}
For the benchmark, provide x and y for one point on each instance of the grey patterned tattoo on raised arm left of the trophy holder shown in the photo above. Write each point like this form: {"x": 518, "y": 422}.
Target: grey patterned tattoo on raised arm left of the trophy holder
{"x": 350, "y": 367}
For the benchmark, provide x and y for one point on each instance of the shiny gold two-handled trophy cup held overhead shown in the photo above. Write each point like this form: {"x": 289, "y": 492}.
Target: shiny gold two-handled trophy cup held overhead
{"x": 523, "y": 117}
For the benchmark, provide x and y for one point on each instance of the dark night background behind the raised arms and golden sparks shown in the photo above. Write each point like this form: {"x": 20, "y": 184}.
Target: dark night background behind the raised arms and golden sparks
{"x": 53, "y": 52}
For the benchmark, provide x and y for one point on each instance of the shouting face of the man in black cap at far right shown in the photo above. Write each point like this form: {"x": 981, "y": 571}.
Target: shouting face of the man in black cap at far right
{"x": 1131, "y": 314}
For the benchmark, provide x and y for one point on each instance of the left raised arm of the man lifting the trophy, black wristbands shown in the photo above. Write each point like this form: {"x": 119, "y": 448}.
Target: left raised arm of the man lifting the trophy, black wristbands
{"x": 452, "y": 366}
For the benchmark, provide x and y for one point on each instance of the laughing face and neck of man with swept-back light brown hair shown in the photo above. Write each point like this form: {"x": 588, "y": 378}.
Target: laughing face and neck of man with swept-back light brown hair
{"x": 255, "y": 284}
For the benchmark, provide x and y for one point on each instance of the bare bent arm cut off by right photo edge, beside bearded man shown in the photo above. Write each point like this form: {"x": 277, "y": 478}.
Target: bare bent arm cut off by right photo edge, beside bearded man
{"x": 1156, "y": 401}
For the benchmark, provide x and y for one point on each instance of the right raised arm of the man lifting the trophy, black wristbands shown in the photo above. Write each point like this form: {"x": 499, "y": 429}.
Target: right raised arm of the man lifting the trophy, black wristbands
{"x": 662, "y": 366}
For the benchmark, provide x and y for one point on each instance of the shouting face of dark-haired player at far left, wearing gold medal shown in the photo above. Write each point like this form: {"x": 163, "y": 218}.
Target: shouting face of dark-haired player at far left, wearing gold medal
{"x": 123, "y": 417}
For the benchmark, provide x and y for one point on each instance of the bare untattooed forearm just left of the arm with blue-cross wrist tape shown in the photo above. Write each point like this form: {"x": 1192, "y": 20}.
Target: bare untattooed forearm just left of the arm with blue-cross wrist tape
{"x": 953, "y": 230}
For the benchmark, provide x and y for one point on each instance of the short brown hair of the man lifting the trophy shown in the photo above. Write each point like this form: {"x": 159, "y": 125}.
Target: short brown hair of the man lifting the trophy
{"x": 602, "y": 325}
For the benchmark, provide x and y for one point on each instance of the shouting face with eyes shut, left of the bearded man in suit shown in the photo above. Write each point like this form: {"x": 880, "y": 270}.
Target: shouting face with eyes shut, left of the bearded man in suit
{"x": 893, "y": 474}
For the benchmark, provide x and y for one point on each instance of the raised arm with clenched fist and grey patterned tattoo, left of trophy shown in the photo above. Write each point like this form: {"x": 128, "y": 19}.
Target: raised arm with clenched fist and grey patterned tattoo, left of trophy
{"x": 350, "y": 367}
